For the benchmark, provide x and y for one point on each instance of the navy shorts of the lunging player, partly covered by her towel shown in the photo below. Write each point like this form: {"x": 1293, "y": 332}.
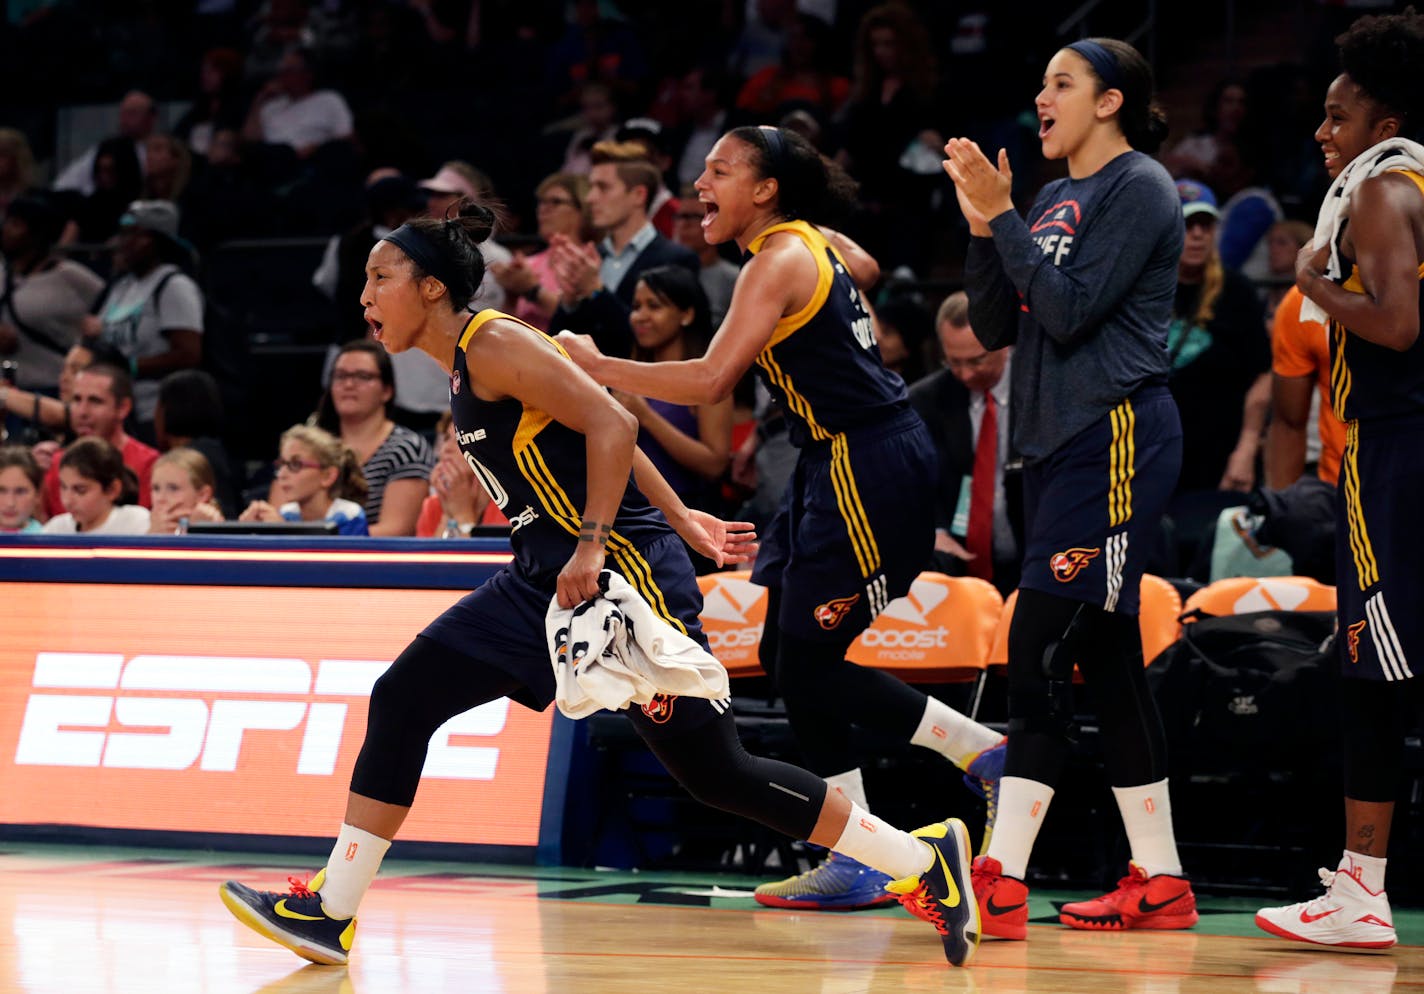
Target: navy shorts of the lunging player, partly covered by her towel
{"x": 502, "y": 624}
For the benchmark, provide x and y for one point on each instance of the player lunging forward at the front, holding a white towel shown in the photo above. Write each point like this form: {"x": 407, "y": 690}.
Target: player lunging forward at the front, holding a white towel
{"x": 559, "y": 455}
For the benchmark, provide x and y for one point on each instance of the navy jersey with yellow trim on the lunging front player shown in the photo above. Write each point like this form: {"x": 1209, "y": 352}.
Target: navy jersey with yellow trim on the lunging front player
{"x": 536, "y": 472}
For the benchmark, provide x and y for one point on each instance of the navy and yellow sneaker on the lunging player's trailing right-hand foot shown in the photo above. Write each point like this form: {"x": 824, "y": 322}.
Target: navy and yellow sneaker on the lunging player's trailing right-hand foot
{"x": 943, "y": 895}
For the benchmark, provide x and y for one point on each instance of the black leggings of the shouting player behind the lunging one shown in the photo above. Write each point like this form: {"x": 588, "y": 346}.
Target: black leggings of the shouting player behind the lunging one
{"x": 827, "y": 694}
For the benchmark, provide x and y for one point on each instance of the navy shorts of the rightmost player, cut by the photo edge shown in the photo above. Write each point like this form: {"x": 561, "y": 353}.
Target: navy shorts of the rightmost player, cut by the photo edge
{"x": 1381, "y": 550}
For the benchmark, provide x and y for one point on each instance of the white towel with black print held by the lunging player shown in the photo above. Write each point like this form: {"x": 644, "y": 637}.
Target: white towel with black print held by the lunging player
{"x": 614, "y": 652}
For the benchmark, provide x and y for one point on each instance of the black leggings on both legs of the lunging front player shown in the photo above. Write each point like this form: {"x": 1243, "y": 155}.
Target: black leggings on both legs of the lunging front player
{"x": 429, "y": 684}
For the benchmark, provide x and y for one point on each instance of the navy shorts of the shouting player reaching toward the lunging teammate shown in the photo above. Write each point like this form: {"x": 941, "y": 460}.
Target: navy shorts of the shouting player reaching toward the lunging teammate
{"x": 855, "y": 529}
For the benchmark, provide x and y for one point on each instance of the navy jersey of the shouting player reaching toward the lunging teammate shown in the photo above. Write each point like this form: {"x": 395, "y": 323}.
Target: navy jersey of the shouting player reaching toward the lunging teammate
{"x": 822, "y": 364}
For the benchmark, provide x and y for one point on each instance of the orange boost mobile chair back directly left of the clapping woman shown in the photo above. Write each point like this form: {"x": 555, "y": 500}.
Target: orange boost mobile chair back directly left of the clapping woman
{"x": 939, "y": 633}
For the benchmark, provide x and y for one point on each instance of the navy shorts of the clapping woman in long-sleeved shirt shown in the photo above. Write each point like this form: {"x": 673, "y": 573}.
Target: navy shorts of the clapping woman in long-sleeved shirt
{"x": 1094, "y": 508}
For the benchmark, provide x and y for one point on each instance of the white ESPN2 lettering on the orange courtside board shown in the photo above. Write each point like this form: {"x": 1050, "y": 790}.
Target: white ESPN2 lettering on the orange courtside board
{"x": 180, "y": 713}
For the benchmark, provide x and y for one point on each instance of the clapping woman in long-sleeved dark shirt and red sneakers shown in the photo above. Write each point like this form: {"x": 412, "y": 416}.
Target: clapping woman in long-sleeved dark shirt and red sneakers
{"x": 1084, "y": 291}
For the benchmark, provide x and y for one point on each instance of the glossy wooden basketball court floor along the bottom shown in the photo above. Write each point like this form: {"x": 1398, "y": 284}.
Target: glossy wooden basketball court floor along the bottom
{"x": 150, "y": 922}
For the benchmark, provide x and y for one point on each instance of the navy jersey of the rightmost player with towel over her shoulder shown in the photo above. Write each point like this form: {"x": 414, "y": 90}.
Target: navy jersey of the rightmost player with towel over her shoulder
{"x": 1369, "y": 381}
